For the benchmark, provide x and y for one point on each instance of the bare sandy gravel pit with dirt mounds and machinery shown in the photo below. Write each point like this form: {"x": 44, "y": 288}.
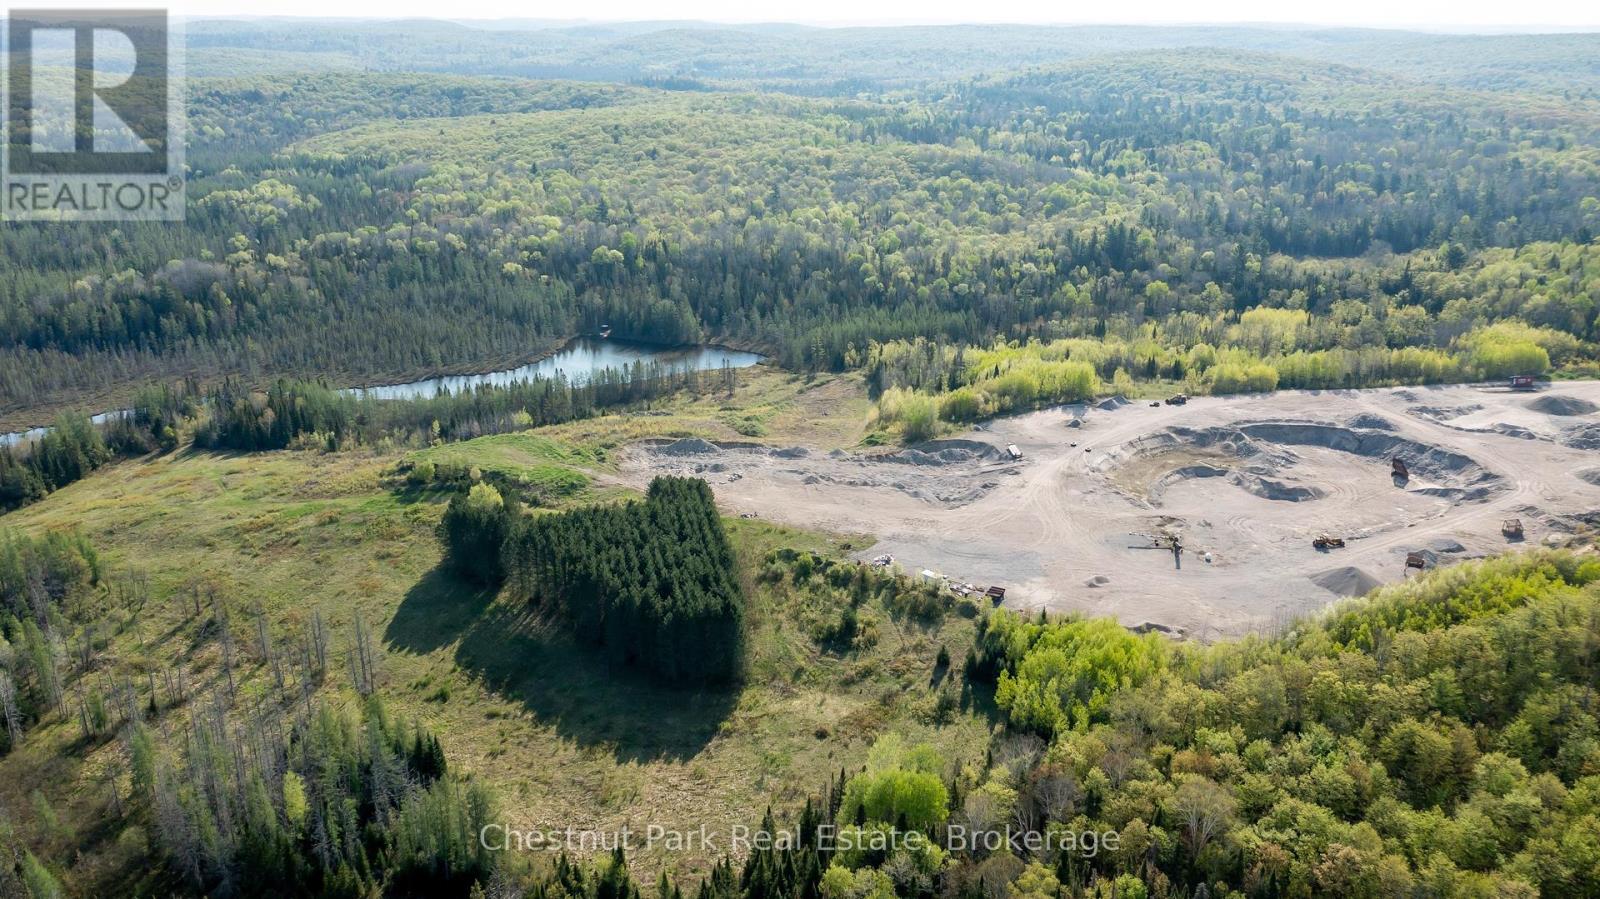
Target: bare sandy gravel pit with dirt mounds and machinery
{"x": 1244, "y": 481}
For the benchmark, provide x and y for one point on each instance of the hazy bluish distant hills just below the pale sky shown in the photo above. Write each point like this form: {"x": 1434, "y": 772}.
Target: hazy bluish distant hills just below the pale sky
{"x": 850, "y": 60}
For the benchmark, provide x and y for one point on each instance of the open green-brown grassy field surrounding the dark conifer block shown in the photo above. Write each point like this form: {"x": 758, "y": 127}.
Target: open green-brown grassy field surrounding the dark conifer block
{"x": 564, "y": 737}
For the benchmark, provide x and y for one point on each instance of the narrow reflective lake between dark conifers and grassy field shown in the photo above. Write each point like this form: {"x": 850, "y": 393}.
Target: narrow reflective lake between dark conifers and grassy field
{"x": 578, "y": 362}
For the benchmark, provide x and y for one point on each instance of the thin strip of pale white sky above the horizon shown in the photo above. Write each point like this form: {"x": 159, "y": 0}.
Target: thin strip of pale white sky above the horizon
{"x": 1425, "y": 15}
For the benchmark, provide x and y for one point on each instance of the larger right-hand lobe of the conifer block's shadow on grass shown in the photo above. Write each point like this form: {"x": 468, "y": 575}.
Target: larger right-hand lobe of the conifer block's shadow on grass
{"x": 588, "y": 698}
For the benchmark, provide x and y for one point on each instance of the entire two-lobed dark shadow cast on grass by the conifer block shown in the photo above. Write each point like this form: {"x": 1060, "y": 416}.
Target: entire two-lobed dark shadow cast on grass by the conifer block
{"x": 564, "y": 684}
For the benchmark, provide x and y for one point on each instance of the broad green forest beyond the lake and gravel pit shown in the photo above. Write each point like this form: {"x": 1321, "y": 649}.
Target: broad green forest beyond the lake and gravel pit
{"x": 361, "y": 228}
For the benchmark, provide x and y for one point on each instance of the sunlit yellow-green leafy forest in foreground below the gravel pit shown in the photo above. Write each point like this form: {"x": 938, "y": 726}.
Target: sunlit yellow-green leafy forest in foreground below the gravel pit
{"x": 1438, "y": 740}
